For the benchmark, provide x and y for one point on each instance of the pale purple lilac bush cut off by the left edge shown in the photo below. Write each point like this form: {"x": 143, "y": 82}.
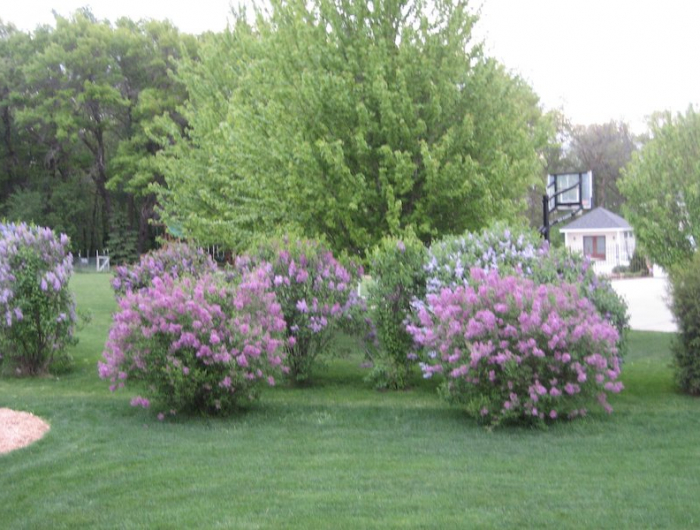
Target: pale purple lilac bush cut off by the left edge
{"x": 37, "y": 311}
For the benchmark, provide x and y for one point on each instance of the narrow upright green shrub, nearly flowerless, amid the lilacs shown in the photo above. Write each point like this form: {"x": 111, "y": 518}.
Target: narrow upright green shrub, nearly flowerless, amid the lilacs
{"x": 399, "y": 278}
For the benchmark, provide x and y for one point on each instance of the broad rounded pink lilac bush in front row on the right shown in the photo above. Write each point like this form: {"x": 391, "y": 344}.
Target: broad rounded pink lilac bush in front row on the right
{"x": 511, "y": 350}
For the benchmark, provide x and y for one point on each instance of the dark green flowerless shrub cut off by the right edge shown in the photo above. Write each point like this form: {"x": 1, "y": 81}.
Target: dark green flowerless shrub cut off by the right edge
{"x": 685, "y": 306}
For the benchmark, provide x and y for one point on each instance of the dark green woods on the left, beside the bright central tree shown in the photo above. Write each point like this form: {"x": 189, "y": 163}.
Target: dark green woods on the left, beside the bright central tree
{"x": 78, "y": 106}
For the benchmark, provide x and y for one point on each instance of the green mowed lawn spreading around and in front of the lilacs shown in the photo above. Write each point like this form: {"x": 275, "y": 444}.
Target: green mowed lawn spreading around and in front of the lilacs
{"x": 341, "y": 455}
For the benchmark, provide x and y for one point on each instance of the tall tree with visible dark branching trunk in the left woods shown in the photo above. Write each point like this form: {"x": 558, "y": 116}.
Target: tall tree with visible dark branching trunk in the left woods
{"x": 74, "y": 101}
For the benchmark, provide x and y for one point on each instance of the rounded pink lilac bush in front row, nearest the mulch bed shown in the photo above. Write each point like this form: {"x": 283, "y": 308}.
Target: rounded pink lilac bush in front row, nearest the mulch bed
{"x": 197, "y": 344}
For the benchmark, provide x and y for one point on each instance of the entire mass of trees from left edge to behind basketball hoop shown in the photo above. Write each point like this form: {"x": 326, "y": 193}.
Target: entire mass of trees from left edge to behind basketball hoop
{"x": 342, "y": 119}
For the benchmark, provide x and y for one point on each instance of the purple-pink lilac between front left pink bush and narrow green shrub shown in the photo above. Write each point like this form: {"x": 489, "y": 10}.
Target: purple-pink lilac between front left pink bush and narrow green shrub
{"x": 318, "y": 297}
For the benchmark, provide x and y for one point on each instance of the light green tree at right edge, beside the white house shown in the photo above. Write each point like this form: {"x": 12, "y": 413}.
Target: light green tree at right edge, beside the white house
{"x": 662, "y": 189}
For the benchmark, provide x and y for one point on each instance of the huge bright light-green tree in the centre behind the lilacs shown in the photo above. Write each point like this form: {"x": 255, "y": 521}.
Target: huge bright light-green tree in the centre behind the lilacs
{"x": 352, "y": 120}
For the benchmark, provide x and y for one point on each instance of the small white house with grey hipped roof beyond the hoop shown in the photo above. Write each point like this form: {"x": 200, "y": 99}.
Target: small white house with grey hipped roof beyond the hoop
{"x": 603, "y": 236}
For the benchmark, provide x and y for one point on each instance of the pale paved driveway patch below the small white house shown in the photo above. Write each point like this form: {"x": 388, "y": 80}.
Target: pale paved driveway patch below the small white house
{"x": 646, "y": 299}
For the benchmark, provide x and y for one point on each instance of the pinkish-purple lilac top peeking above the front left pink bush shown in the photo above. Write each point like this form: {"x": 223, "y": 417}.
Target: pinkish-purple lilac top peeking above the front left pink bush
{"x": 174, "y": 259}
